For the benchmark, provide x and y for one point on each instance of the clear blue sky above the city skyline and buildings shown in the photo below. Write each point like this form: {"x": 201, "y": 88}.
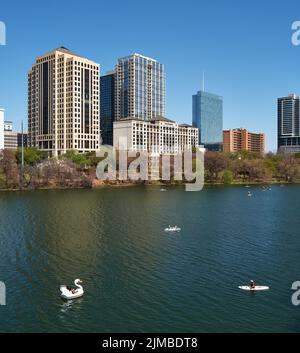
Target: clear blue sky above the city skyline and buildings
{"x": 244, "y": 48}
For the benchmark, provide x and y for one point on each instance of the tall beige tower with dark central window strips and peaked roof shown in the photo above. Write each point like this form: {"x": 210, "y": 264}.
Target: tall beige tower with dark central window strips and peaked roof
{"x": 63, "y": 103}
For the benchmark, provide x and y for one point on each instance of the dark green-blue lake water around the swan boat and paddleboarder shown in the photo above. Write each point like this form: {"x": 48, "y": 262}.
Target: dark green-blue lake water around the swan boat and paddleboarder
{"x": 137, "y": 278}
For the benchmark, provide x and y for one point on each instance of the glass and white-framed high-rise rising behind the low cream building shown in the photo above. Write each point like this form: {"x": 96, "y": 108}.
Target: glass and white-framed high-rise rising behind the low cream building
{"x": 140, "y": 88}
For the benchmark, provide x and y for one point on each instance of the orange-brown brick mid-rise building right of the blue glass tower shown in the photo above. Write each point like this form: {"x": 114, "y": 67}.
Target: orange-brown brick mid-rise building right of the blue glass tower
{"x": 242, "y": 140}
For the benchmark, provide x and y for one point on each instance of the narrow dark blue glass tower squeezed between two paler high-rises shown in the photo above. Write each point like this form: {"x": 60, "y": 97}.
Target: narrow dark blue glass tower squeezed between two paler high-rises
{"x": 107, "y": 107}
